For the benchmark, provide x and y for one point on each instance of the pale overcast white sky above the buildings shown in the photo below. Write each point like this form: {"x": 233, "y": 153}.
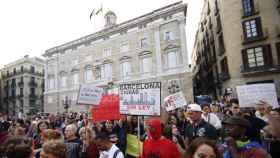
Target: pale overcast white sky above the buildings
{"x": 30, "y": 27}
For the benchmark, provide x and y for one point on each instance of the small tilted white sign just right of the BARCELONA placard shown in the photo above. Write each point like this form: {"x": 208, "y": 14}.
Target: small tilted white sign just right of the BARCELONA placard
{"x": 174, "y": 101}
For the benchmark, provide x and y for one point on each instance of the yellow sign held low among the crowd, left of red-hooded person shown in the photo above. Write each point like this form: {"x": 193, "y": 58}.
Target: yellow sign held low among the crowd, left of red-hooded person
{"x": 134, "y": 145}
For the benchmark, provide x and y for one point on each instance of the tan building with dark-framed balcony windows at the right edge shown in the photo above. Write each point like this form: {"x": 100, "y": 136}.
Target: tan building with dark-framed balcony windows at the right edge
{"x": 237, "y": 43}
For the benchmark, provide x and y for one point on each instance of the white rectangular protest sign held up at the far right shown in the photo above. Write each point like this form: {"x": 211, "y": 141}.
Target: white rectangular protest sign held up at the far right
{"x": 251, "y": 95}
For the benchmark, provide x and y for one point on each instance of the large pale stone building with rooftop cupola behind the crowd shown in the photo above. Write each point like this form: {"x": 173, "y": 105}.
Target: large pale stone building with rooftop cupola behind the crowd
{"x": 151, "y": 47}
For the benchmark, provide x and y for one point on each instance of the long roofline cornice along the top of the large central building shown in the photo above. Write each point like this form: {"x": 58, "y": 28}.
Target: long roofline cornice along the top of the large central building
{"x": 144, "y": 19}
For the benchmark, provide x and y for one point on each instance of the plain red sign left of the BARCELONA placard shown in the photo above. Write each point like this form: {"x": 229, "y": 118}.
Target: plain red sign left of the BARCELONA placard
{"x": 108, "y": 109}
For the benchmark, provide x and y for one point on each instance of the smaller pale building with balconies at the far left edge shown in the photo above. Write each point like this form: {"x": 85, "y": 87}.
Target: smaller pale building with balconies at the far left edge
{"x": 23, "y": 86}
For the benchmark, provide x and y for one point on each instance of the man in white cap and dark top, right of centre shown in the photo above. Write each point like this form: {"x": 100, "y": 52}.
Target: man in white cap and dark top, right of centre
{"x": 198, "y": 127}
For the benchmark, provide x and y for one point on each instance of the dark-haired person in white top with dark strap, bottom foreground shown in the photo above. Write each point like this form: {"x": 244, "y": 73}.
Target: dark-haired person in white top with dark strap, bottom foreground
{"x": 106, "y": 147}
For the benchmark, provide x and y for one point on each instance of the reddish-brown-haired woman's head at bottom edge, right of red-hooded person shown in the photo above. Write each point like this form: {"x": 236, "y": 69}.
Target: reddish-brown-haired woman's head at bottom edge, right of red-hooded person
{"x": 203, "y": 148}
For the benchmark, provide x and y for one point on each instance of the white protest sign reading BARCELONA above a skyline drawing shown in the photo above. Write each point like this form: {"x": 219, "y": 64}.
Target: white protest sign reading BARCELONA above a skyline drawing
{"x": 140, "y": 98}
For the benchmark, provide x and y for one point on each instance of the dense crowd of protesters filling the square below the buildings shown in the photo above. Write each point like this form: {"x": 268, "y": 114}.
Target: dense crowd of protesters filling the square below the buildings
{"x": 210, "y": 130}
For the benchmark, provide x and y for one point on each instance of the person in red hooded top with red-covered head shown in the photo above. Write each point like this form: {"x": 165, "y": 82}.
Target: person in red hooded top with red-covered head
{"x": 156, "y": 145}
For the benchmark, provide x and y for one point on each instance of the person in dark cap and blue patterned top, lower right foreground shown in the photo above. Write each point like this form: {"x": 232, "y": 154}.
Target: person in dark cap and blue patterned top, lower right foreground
{"x": 236, "y": 144}
